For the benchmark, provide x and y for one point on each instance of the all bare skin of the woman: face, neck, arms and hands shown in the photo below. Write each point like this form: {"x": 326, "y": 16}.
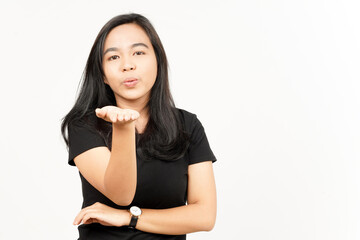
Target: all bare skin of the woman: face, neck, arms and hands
{"x": 99, "y": 166}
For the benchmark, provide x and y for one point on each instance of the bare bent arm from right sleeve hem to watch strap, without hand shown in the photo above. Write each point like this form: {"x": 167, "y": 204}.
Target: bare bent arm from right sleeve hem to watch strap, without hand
{"x": 198, "y": 215}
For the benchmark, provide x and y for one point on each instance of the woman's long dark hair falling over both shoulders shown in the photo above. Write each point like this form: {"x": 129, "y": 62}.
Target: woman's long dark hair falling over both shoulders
{"x": 164, "y": 137}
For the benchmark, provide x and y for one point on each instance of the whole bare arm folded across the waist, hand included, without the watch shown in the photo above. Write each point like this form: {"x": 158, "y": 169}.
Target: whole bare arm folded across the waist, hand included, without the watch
{"x": 198, "y": 215}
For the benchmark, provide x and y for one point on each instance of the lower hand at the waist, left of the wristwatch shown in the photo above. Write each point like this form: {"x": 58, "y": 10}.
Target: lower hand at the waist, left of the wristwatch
{"x": 103, "y": 214}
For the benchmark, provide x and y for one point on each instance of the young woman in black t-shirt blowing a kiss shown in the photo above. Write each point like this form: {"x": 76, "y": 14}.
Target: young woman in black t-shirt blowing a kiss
{"x": 145, "y": 165}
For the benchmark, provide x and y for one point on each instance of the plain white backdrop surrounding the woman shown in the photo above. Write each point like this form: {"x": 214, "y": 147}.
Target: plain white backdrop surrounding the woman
{"x": 275, "y": 84}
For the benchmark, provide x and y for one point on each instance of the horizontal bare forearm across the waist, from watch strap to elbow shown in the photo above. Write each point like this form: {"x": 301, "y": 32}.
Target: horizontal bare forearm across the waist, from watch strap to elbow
{"x": 178, "y": 220}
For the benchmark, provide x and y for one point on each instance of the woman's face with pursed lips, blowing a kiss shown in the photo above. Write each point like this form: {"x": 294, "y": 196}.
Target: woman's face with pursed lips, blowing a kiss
{"x": 129, "y": 64}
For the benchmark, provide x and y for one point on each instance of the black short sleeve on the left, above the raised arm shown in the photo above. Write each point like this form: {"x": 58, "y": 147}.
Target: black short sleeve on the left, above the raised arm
{"x": 82, "y": 139}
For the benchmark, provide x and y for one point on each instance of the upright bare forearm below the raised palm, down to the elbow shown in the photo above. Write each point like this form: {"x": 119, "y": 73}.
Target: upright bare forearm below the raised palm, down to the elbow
{"x": 120, "y": 175}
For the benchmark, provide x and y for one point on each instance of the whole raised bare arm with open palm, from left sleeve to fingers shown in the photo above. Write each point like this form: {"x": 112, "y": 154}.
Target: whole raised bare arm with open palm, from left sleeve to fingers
{"x": 113, "y": 173}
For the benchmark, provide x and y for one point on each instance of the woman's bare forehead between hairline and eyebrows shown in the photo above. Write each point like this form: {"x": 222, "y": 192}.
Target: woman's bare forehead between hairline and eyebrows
{"x": 123, "y": 36}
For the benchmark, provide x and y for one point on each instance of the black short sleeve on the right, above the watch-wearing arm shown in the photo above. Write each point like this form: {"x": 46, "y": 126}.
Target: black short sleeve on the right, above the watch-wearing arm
{"x": 199, "y": 148}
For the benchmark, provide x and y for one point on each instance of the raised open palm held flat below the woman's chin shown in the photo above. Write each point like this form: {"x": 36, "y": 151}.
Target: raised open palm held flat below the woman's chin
{"x": 114, "y": 114}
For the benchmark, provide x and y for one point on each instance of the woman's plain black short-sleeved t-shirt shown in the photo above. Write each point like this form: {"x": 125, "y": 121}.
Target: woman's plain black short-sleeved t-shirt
{"x": 160, "y": 184}
